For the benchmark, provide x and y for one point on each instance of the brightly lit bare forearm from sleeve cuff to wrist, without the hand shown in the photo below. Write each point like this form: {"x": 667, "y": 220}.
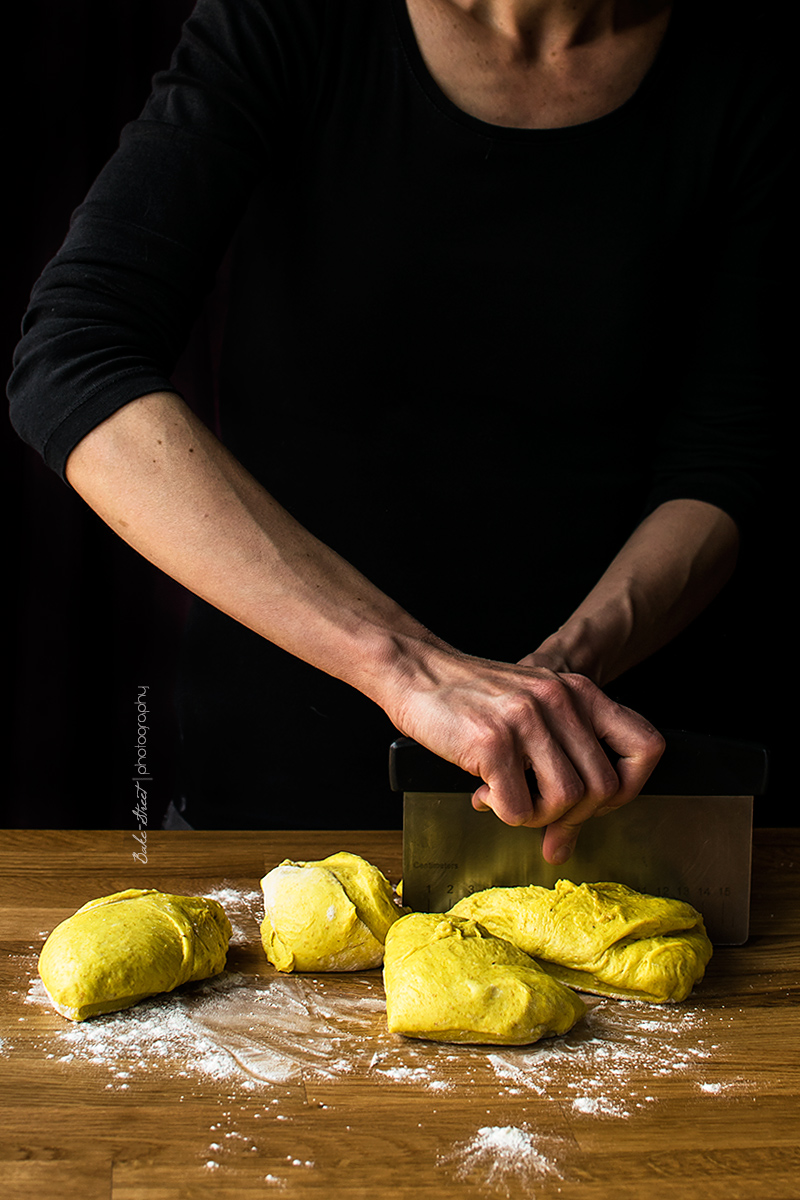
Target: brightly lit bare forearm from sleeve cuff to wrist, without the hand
{"x": 166, "y": 485}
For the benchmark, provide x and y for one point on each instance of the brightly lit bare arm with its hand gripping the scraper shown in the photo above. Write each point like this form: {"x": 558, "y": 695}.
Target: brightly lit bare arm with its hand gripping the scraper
{"x": 161, "y": 481}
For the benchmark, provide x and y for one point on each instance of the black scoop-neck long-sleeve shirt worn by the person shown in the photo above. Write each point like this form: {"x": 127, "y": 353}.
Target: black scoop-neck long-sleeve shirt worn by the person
{"x": 468, "y": 357}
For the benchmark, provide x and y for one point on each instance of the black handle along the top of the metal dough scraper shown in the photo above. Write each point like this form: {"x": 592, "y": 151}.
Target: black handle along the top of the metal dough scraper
{"x": 693, "y": 765}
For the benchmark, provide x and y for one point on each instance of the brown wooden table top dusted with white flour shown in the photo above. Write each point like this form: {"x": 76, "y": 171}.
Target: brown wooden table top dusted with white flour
{"x": 261, "y": 1084}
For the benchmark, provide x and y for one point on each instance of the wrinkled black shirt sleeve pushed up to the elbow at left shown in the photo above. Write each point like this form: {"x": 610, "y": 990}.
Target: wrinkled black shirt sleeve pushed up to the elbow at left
{"x": 112, "y": 313}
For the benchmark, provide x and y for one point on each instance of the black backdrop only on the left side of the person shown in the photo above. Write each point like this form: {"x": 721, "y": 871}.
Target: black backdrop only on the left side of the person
{"x": 94, "y": 621}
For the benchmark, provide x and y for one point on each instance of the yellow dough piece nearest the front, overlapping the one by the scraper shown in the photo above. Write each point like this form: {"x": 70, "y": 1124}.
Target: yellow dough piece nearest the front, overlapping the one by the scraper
{"x": 448, "y": 980}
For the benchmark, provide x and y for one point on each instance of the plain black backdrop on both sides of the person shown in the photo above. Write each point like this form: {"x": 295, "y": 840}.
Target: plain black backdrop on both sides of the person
{"x": 93, "y": 622}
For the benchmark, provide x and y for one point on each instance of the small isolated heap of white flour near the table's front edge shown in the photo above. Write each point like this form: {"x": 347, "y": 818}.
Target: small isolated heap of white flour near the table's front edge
{"x": 501, "y": 1156}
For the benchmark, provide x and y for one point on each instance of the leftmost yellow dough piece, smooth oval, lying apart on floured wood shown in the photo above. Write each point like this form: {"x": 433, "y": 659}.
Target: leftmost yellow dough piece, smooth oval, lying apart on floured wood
{"x": 122, "y": 949}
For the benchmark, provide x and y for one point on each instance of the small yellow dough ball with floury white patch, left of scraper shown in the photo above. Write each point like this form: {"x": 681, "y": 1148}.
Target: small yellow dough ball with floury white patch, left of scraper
{"x": 330, "y": 915}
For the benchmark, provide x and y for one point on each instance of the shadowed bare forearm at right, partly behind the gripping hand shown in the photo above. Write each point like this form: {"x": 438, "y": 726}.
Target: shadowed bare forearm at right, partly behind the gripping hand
{"x": 671, "y": 568}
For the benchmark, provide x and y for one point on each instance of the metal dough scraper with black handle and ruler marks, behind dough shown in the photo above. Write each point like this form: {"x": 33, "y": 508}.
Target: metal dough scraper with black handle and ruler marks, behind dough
{"x": 689, "y": 838}
